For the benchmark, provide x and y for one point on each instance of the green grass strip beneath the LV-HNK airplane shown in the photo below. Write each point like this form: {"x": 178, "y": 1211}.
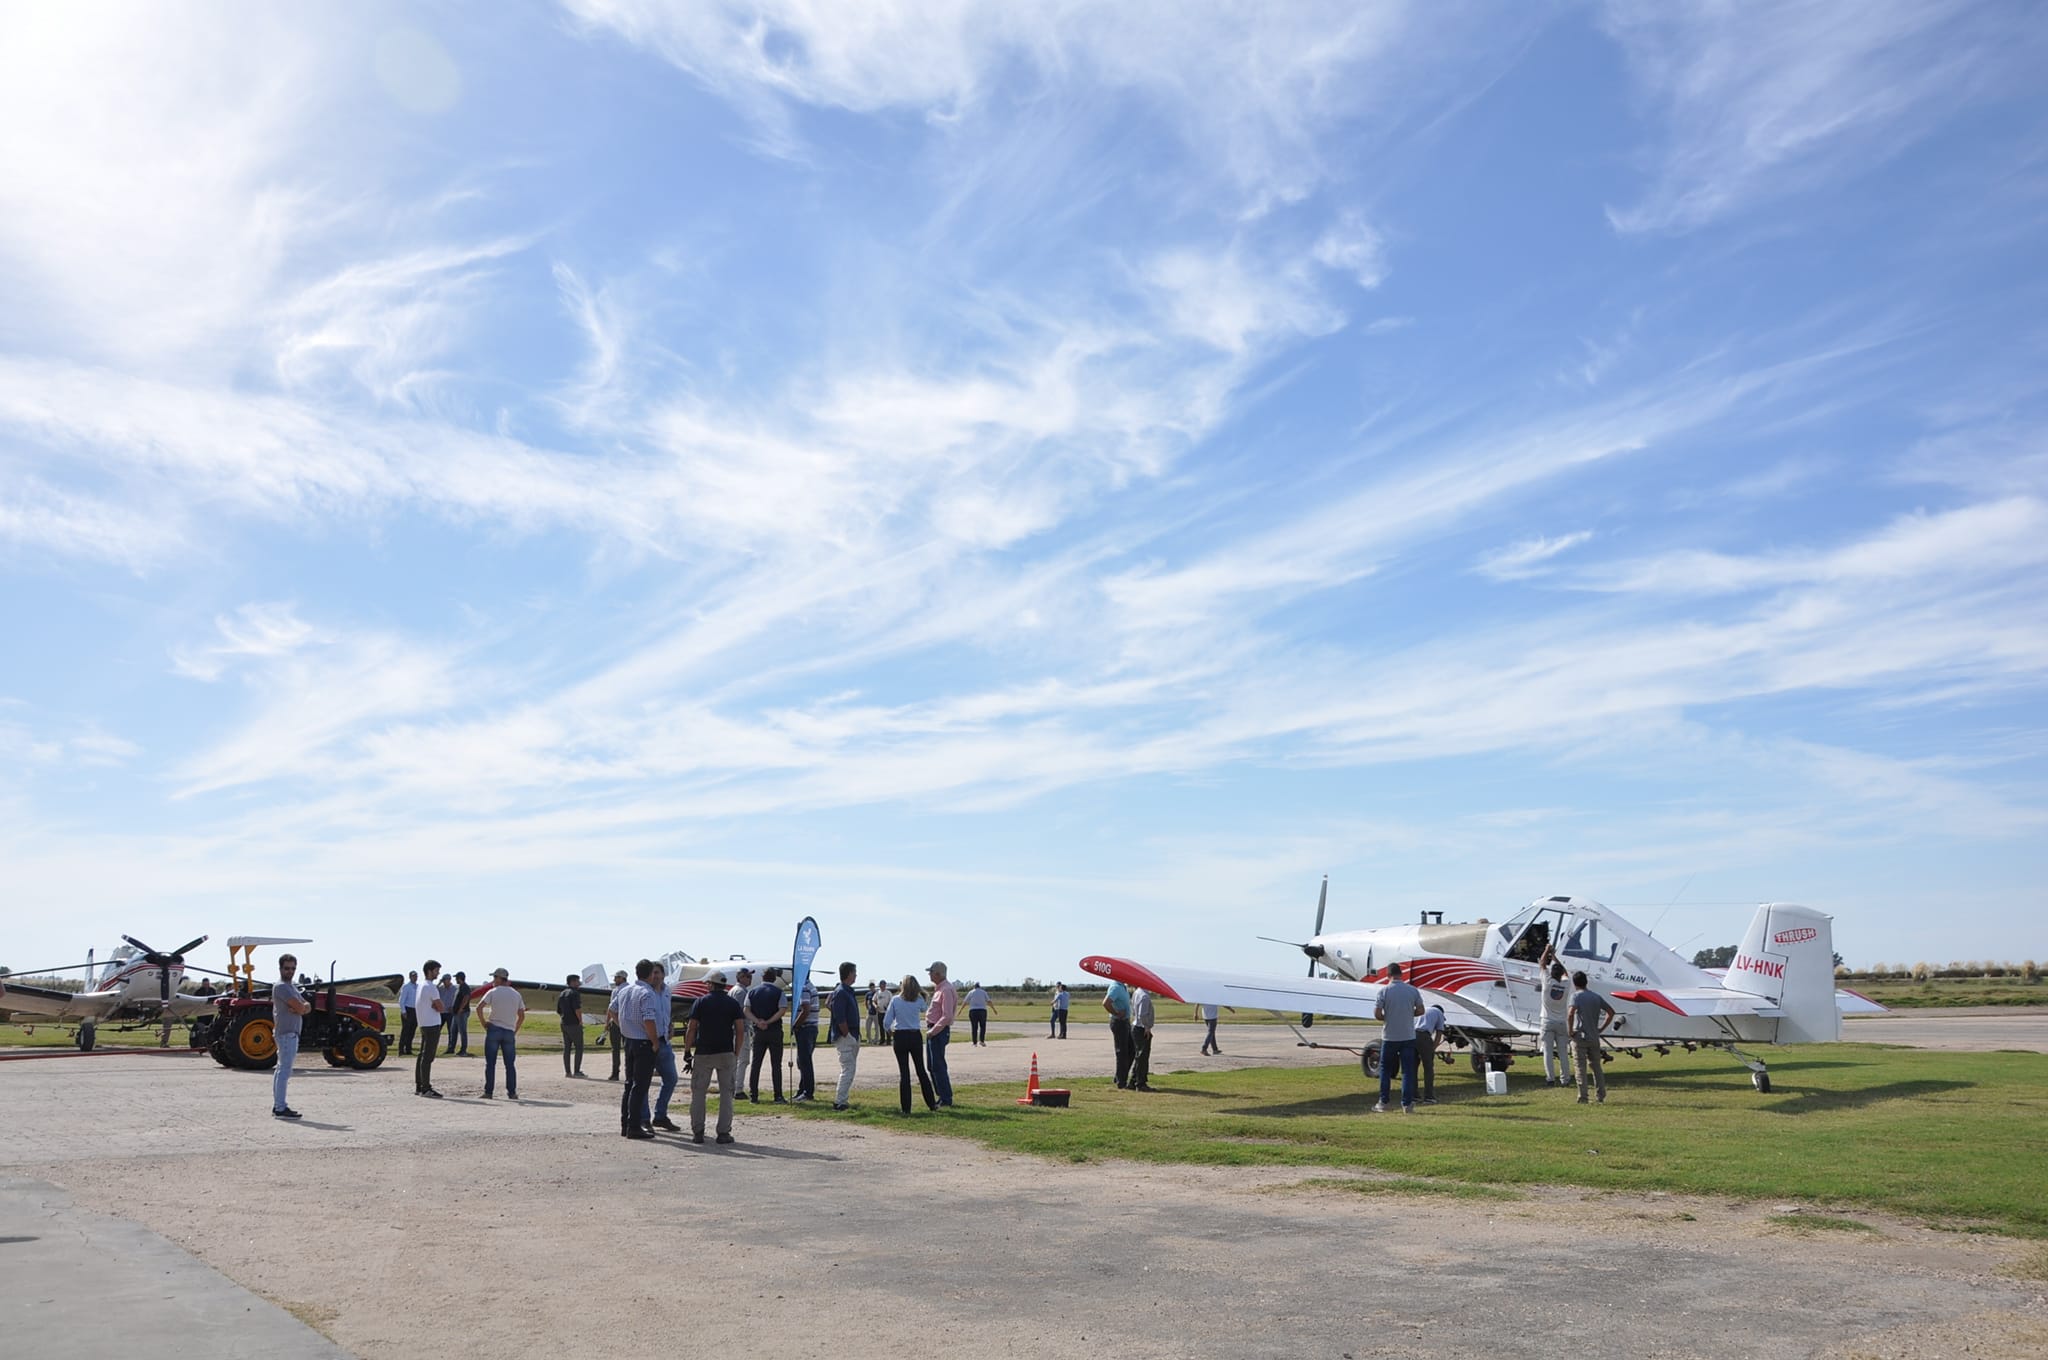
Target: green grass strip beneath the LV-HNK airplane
{"x": 1957, "y": 1140}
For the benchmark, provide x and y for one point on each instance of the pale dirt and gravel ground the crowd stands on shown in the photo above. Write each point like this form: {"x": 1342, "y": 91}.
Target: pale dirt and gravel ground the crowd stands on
{"x": 548, "y": 1230}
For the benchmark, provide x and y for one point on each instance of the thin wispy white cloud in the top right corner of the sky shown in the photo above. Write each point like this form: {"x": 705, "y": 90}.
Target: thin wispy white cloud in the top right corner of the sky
{"x": 1766, "y": 97}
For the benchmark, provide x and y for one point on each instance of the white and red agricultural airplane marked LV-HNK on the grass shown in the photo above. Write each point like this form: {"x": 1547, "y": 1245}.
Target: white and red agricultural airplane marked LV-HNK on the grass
{"x": 1488, "y": 980}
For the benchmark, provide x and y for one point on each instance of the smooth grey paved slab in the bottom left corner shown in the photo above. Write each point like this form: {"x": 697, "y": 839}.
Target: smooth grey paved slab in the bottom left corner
{"x": 81, "y": 1283}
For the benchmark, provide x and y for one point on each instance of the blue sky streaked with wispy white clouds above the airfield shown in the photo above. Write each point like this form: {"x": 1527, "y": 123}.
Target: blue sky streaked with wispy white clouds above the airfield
{"x": 548, "y": 484}
